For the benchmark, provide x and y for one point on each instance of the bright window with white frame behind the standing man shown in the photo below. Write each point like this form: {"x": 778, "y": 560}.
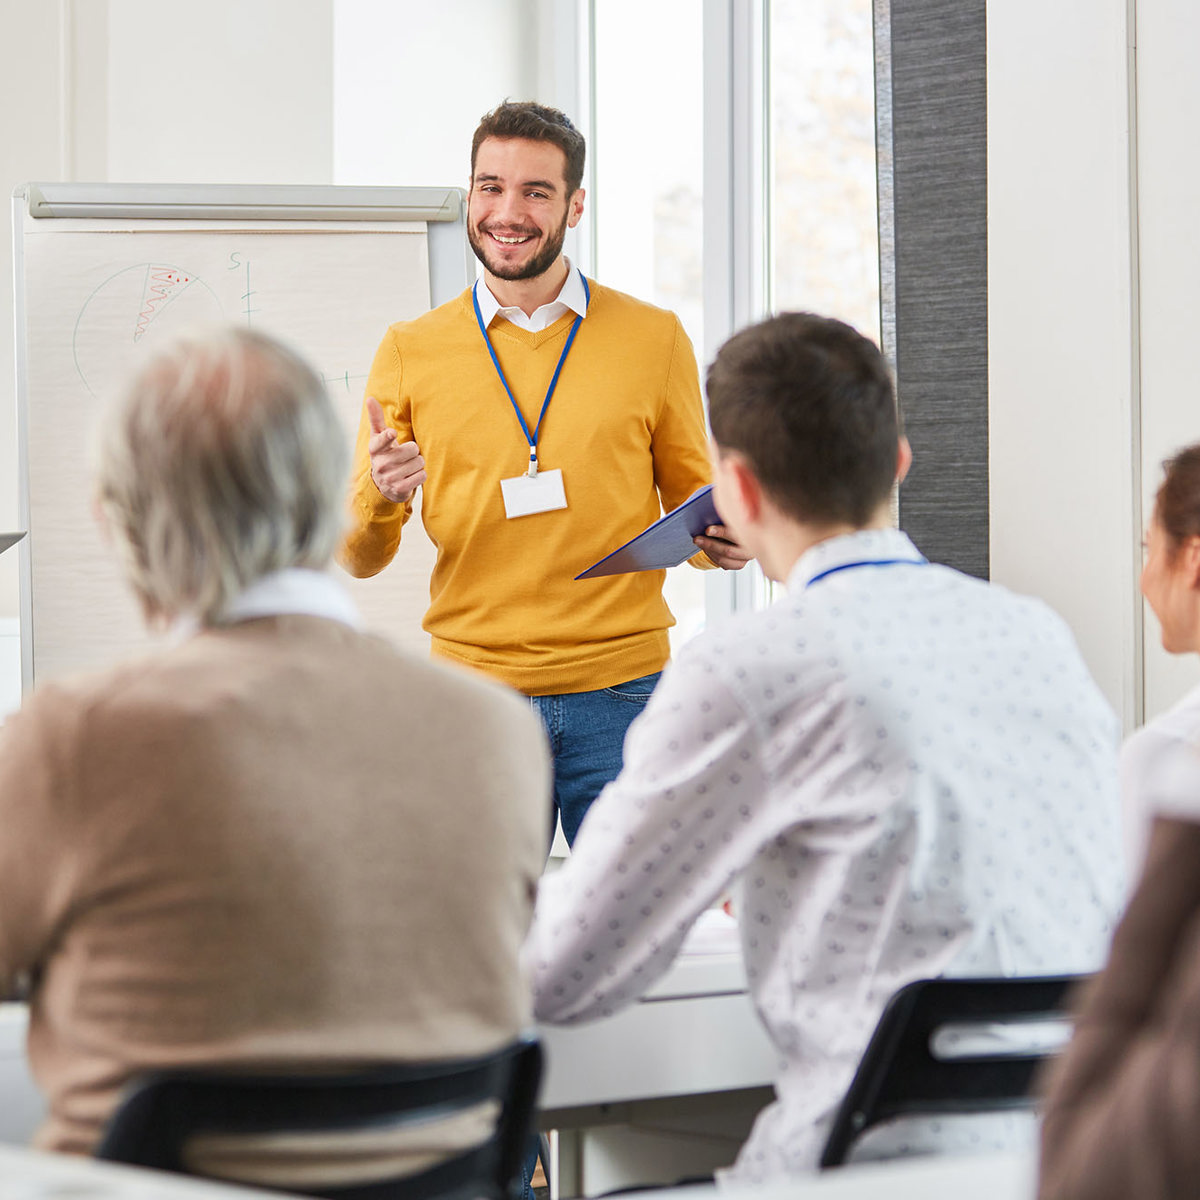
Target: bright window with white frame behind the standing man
{"x": 795, "y": 109}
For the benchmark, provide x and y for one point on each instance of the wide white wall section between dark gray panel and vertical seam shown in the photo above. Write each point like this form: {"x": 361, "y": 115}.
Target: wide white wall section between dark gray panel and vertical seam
{"x": 1065, "y": 520}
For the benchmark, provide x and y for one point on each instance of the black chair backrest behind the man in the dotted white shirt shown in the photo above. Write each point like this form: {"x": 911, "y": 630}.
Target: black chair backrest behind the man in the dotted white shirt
{"x": 902, "y": 1075}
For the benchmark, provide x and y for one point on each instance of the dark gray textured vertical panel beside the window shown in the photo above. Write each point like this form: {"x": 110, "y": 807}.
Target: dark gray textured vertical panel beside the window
{"x": 933, "y": 106}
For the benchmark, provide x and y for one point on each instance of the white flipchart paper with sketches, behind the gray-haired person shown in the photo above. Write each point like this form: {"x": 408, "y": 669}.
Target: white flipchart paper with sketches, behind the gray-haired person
{"x": 99, "y": 303}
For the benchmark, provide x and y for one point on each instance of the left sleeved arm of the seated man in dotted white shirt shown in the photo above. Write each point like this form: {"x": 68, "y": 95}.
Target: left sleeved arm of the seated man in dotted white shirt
{"x": 658, "y": 848}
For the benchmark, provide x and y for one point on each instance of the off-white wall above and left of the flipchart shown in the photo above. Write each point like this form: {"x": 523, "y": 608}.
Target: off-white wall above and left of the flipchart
{"x": 139, "y": 91}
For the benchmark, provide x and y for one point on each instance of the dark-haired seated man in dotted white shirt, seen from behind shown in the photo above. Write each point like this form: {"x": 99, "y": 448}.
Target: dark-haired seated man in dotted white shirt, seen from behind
{"x": 910, "y": 772}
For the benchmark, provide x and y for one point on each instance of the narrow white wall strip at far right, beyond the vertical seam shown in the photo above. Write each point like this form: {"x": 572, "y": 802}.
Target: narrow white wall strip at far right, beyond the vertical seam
{"x": 1169, "y": 254}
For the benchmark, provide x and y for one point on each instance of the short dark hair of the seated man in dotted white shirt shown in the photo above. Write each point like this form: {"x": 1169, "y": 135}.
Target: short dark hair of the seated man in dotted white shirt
{"x": 812, "y": 406}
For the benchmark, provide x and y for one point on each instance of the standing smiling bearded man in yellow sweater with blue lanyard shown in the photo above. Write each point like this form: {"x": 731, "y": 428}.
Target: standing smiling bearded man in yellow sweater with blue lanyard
{"x": 549, "y": 419}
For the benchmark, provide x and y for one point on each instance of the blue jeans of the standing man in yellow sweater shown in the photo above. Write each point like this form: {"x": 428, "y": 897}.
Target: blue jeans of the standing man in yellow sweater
{"x": 587, "y": 733}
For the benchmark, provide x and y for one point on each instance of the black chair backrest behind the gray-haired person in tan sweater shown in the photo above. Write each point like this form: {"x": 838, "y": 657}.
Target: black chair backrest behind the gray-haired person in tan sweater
{"x": 161, "y": 1112}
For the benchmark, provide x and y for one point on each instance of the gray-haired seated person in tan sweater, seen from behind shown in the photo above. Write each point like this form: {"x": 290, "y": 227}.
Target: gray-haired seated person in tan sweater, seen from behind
{"x": 266, "y": 844}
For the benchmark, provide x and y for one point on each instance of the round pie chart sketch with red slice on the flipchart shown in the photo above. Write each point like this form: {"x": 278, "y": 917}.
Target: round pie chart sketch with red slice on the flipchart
{"x": 133, "y": 314}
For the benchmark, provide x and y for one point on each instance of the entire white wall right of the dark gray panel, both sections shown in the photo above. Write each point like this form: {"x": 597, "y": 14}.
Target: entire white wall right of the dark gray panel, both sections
{"x": 1094, "y": 311}
